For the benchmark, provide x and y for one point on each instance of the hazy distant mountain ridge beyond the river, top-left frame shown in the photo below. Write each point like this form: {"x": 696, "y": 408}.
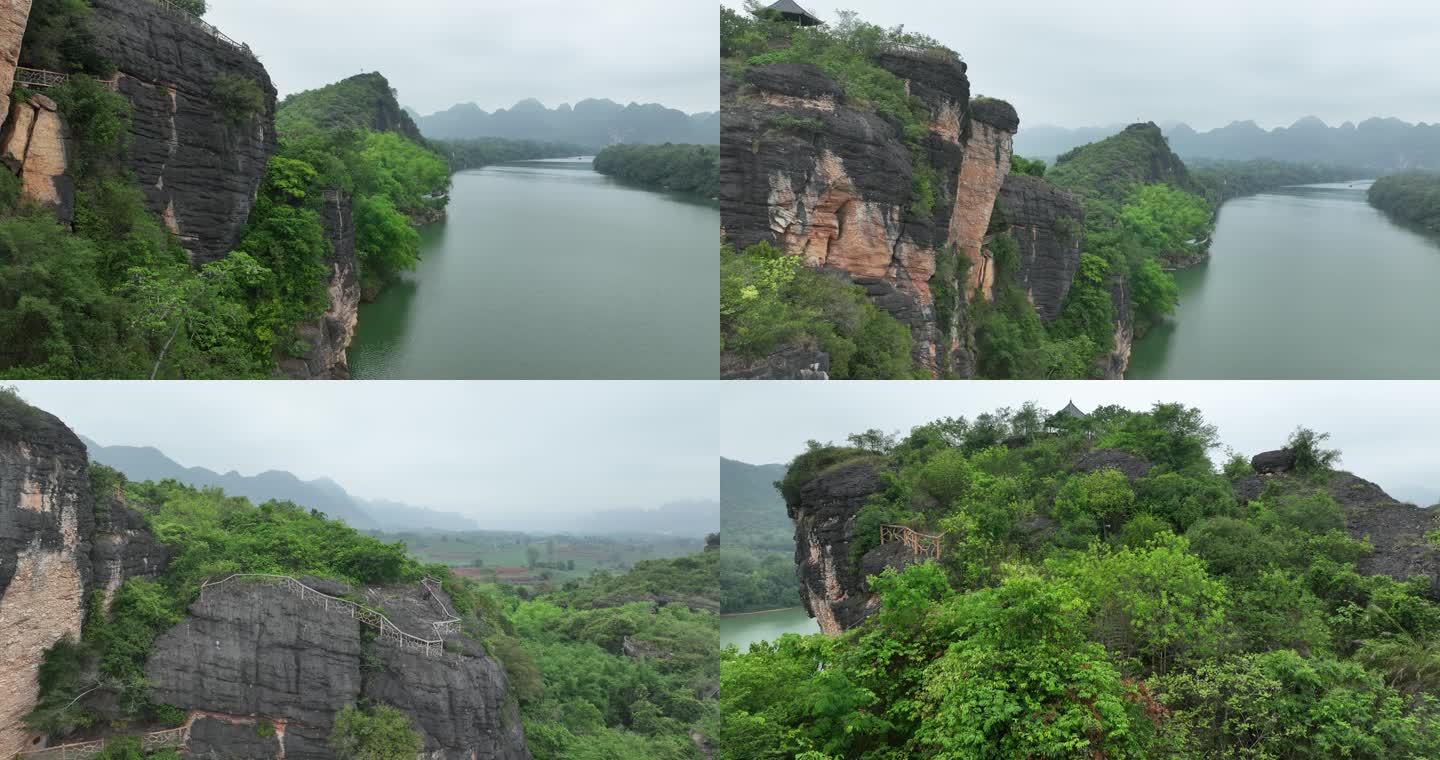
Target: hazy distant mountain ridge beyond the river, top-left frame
{"x": 593, "y": 123}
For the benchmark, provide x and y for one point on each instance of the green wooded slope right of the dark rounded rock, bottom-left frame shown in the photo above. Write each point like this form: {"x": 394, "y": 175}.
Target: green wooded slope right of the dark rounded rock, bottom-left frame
{"x": 624, "y": 679}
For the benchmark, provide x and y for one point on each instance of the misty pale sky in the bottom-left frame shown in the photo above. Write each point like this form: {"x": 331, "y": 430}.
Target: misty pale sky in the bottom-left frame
{"x": 473, "y": 448}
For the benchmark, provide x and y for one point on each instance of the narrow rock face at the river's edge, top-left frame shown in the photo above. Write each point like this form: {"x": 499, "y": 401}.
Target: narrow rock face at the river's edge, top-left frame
{"x": 329, "y": 338}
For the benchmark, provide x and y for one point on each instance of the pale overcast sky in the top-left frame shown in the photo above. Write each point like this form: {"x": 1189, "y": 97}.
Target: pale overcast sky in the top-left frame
{"x": 443, "y": 53}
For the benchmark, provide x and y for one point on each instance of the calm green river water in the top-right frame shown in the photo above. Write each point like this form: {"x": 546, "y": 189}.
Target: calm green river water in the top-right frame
{"x": 1304, "y": 283}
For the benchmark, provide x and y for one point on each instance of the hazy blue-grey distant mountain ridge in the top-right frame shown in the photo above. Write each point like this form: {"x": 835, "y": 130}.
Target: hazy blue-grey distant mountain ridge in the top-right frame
{"x": 1383, "y": 145}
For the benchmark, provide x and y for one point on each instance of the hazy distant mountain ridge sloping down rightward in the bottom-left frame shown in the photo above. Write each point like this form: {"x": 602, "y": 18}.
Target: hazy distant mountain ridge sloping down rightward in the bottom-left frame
{"x": 150, "y": 464}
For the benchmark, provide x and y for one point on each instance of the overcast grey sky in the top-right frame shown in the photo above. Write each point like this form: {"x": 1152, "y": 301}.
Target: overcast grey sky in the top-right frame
{"x": 1202, "y": 63}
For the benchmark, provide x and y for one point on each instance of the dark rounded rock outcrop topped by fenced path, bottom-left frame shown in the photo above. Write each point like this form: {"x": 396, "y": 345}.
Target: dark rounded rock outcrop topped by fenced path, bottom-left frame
{"x": 256, "y": 653}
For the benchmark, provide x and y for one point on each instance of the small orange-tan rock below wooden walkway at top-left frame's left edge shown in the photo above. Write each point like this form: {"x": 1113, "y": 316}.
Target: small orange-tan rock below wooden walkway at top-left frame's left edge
{"x": 35, "y": 145}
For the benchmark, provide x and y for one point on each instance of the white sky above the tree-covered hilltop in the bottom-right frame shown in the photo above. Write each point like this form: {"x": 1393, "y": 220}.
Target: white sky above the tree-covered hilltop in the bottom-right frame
{"x": 1385, "y": 431}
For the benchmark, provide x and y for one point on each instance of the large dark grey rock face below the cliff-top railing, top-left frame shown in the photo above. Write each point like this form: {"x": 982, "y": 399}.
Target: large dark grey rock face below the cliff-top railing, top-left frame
{"x": 198, "y": 165}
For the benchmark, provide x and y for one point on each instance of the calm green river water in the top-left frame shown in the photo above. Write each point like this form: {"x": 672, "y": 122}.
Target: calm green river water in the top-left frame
{"x": 548, "y": 270}
